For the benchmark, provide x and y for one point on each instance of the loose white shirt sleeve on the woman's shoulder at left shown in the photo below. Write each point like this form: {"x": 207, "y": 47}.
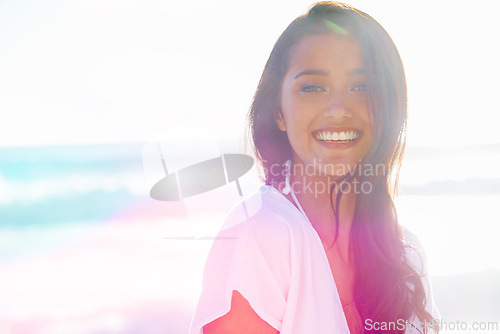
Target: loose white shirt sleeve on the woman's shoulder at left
{"x": 253, "y": 258}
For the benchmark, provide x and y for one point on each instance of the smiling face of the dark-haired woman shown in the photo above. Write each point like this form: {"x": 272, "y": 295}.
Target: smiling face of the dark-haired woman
{"x": 324, "y": 104}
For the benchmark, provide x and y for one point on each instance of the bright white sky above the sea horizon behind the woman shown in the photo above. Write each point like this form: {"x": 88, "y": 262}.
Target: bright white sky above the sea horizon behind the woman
{"x": 92, "y": 71}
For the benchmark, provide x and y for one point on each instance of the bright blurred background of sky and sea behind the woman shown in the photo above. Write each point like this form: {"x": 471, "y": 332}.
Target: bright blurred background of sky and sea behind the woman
{"x": 87, "y": 89}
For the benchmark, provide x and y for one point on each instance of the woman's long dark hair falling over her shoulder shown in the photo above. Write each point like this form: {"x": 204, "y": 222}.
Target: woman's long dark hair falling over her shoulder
{"x": 386, "y": 287}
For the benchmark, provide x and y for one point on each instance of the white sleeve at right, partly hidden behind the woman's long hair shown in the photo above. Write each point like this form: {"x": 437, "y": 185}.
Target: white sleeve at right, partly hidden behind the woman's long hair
{"x": 418, "y": 260}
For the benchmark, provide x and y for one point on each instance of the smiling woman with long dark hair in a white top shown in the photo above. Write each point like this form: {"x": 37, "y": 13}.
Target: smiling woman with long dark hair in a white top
{"x": 319, "y": 249}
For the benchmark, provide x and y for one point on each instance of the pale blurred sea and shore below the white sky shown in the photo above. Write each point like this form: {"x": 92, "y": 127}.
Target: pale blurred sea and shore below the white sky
{"x": 85, "y": 249}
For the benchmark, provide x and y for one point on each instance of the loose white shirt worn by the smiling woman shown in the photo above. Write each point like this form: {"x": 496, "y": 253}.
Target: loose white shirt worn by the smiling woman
{"x": 272, "y": 255}
